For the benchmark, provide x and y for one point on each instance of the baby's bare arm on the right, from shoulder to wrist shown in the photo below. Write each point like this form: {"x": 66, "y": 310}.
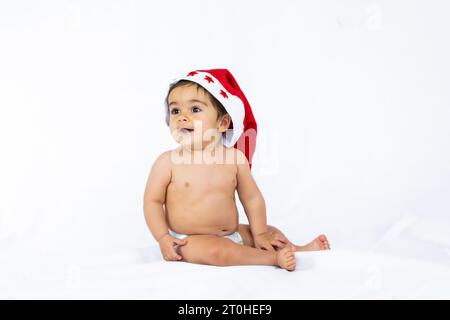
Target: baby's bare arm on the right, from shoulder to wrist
{"x": 253, "y": 203}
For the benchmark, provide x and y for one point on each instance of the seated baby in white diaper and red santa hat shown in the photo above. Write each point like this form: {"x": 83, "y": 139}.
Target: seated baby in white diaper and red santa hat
{"x": 189, "y": 200}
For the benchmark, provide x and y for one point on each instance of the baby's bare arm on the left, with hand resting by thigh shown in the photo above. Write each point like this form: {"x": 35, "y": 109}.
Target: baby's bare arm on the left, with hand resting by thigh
{"x": 154, "y": 198}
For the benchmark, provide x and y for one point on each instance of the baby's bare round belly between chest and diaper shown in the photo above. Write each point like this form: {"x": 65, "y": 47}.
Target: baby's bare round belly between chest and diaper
{"x": 211, "y": 216}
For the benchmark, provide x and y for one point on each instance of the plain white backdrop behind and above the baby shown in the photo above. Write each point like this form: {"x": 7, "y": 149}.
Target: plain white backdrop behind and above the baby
{"x": 351, "y": 98}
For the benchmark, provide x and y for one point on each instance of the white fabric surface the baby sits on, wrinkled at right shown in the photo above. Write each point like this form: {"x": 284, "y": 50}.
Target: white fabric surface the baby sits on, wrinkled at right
{"x": 398, "y": 265}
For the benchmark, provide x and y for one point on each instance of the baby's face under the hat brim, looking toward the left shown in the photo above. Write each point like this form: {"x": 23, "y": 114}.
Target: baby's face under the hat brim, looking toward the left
{"x": 192, "y": 117}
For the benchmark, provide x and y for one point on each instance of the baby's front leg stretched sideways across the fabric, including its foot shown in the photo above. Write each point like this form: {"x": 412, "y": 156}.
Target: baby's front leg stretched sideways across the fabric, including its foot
{"x": 218, "y": 251}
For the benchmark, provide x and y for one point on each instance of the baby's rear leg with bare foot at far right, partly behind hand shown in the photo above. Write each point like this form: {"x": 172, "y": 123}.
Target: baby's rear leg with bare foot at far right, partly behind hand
{"x": 319, "y": 243}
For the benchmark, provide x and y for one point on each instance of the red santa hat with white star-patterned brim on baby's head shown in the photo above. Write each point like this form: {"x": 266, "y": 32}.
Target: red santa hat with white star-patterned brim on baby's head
{"x": 222, "y": 85}
